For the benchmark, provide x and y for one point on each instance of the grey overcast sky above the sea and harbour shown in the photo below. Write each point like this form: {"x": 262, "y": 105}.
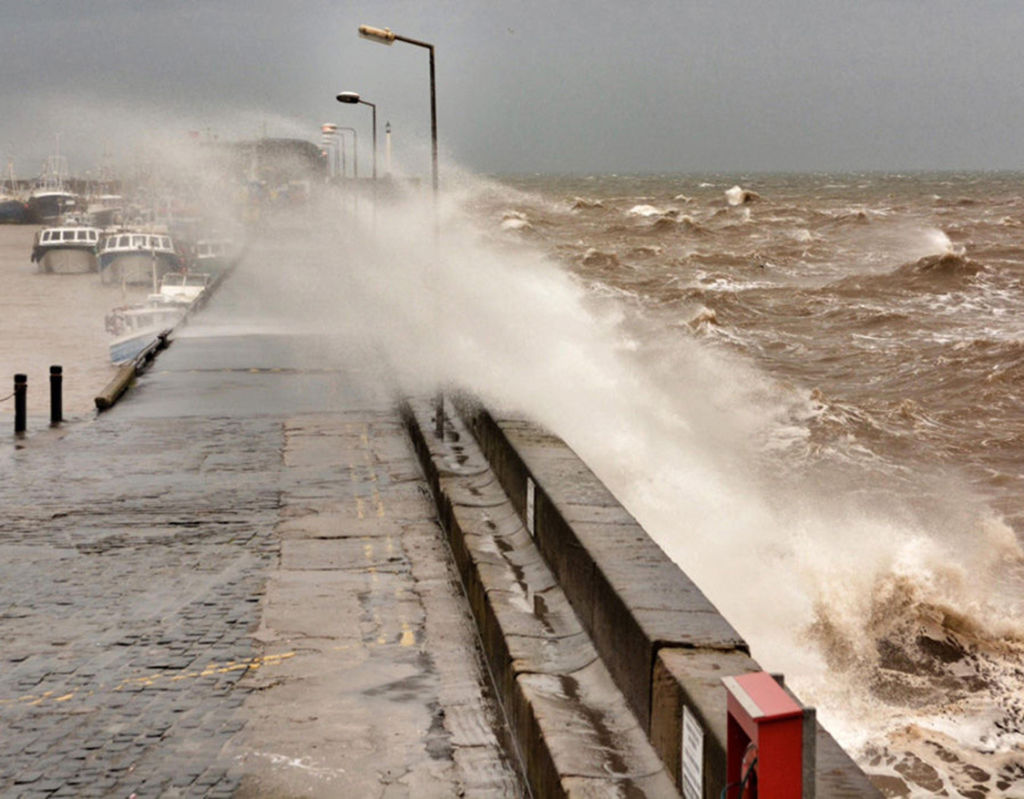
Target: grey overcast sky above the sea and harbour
{"x": 533, "y": 86}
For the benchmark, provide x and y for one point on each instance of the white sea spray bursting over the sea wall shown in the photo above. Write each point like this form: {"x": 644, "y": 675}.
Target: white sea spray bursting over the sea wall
{"x": 716, "y": 459}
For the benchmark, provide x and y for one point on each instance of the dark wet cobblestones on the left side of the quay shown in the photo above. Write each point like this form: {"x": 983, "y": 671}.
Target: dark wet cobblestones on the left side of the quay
{"x": 133, "y": 562}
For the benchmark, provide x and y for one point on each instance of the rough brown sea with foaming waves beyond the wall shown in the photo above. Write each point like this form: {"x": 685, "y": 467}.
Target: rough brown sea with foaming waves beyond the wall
{"x": 864, "y": 339}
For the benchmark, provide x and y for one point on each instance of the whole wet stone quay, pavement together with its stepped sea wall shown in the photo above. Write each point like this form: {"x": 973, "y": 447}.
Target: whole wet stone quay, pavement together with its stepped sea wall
{"x": 262, "y": 574}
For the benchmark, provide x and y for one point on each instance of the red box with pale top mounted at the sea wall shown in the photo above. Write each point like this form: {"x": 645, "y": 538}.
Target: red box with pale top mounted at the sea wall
{"x": 765, "y": 741}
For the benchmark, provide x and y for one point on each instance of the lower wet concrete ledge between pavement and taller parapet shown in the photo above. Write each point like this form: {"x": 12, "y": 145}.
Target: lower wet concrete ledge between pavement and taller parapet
{"x": 574, "y": 731}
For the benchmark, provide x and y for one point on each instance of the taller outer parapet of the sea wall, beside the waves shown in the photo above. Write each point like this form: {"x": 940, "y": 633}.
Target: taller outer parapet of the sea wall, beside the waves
{"x": 664, "y": 643}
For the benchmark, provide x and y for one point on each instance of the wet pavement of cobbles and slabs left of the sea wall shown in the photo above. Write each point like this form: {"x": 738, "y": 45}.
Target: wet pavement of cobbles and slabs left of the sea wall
{"x": 234, "y": 584}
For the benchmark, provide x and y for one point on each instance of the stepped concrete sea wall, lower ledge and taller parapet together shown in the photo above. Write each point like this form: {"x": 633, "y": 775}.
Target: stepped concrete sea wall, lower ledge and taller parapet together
{"x": 659, "y": 640}
